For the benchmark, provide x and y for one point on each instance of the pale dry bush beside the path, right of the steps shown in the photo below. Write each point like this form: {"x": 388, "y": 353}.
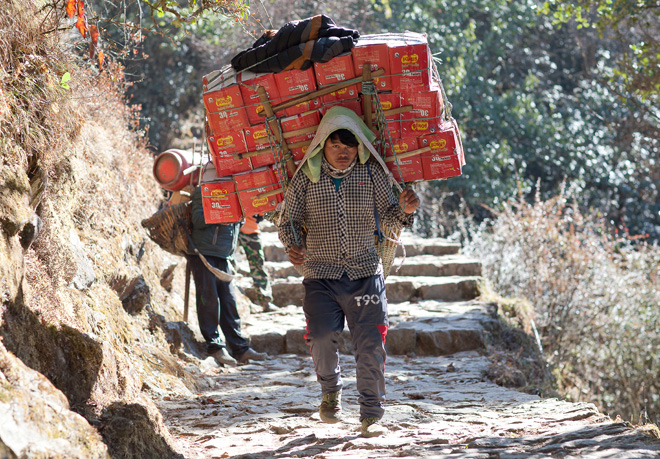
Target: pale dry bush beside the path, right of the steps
{"x": 595, "y": 299}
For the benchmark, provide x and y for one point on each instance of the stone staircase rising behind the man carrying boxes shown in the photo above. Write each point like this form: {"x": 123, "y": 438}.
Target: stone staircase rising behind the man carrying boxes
{"x": 433, "y": 308}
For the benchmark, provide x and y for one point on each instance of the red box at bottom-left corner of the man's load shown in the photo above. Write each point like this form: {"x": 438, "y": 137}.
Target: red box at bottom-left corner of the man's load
{"x": 220, "y": 202}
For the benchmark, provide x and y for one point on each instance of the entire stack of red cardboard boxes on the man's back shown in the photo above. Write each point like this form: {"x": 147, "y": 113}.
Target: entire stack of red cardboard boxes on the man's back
{"x": 425, "y": 145}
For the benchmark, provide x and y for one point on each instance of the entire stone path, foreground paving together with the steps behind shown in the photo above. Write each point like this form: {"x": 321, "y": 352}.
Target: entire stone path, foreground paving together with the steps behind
{"x": 439, "y": 403}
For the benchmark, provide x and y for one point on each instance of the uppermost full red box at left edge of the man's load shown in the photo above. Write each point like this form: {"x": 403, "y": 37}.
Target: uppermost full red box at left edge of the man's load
{"x": 225, "y": 110}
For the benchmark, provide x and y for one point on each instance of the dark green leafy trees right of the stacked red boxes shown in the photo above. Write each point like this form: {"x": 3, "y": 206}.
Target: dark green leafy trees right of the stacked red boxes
{"x": 534, "y": 103}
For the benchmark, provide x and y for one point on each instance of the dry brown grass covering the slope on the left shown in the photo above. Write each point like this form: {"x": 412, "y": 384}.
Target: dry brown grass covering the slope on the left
{"x": 95, "y": 170}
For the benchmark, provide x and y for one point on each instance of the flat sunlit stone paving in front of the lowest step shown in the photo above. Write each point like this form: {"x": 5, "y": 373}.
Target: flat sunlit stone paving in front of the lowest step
{"x": 437, "y": 407}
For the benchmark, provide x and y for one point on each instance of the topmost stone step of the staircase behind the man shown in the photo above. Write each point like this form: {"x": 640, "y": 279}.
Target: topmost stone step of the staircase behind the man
{"x": 414, "y": 246}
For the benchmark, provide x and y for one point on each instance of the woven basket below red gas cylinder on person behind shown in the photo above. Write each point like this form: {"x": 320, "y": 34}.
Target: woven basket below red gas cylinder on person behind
{"x": 165, "y": 229}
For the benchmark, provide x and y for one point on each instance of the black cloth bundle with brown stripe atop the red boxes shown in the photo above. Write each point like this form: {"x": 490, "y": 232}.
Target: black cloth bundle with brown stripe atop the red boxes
{"x": 297, "y": 45}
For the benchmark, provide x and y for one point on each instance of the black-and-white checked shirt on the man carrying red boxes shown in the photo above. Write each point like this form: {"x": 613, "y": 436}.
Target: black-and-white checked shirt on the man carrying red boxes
{"x": 340, "y": 224}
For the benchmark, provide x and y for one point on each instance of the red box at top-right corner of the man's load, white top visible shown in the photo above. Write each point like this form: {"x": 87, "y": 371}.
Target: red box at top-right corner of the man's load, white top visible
{"x": 410, "y": 63}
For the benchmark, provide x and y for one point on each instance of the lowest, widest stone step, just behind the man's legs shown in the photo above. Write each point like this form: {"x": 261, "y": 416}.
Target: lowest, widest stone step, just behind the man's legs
{"x": 424, "y": 328}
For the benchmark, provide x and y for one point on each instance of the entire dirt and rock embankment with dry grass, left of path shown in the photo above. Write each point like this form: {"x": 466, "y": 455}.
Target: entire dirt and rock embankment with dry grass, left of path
{"x": 87, "y": 321}
